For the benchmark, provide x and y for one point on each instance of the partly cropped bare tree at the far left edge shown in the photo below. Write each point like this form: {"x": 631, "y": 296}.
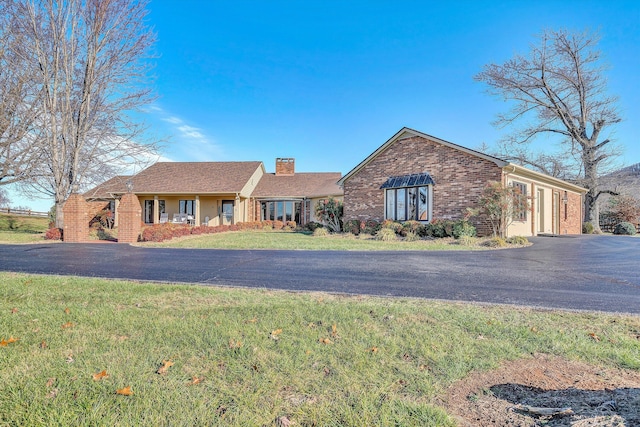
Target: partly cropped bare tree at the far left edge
{"x": 18, "y": 101}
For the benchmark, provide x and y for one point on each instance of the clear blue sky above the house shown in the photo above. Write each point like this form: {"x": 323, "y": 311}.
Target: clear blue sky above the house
{"x": 328, "y": 82}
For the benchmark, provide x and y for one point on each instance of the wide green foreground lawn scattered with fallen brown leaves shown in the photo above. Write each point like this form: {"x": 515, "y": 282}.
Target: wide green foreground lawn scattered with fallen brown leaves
{"x": 247, "y": 357}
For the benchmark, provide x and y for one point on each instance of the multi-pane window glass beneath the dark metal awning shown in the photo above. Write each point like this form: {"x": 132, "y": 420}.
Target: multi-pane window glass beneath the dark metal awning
{"x": 407, "y": 204}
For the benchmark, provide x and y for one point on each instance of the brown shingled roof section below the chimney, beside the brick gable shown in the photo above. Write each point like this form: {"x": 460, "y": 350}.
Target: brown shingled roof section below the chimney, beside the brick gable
{"x": 298, "y": 185}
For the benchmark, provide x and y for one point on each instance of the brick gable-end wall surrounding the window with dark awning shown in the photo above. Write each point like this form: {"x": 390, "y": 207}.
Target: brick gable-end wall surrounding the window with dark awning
{"x": 459, "y": 179}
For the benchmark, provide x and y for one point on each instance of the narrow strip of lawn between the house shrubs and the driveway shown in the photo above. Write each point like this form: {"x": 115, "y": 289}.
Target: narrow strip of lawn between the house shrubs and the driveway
{"x": 305, "y": 241}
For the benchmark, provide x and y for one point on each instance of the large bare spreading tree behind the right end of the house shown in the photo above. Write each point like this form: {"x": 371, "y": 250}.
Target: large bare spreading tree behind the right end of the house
{"x": 559, "y": 89}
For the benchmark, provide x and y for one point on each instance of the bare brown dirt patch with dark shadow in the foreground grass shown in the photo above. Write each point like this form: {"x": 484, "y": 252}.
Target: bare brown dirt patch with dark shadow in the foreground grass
{"x": 597, "y": 396}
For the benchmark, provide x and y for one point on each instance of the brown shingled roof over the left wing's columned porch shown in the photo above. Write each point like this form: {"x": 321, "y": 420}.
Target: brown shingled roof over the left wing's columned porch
{"x": 194, "y": 177}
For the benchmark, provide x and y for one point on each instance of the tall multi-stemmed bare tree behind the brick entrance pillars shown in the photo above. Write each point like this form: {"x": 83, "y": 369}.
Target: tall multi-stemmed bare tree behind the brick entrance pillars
{"x": 92, "y": 60}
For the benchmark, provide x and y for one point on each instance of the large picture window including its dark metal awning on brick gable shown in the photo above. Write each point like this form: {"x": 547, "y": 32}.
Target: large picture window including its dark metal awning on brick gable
{"x": 408, "y": 197}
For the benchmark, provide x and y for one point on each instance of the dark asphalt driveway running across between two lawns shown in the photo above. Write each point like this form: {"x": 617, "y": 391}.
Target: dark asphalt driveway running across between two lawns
{"x": 583, "y": 272}
